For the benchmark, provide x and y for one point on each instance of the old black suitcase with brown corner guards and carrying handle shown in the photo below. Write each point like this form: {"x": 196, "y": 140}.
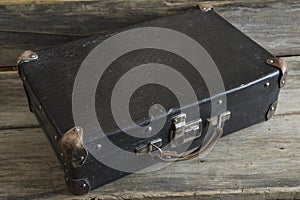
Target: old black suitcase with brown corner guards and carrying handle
{"x": 161, "y": 91}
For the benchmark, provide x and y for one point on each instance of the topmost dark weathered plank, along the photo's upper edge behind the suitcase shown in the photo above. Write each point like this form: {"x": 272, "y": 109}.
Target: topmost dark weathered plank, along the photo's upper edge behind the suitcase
{"x": 66, "y": 17}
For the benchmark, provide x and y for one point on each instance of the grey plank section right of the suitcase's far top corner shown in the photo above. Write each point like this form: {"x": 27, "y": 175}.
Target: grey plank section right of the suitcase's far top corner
{"x": 275, "y": 25}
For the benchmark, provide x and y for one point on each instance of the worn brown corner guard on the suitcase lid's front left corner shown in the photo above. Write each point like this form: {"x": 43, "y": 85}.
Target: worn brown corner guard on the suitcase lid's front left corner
{"x": 72, "y": 147}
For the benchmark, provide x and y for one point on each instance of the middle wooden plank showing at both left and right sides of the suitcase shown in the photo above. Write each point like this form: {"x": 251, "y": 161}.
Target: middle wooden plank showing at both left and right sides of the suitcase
{"x": 15, "y": 113}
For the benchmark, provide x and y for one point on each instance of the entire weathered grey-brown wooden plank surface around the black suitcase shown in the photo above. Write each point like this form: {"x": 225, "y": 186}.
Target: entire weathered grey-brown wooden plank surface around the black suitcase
{"x": 260, "y": 162}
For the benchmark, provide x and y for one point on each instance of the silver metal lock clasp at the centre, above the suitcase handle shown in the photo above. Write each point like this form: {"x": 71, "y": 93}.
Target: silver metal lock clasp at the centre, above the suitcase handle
{"x": 183, "y": 132}
